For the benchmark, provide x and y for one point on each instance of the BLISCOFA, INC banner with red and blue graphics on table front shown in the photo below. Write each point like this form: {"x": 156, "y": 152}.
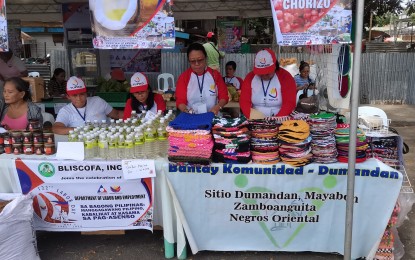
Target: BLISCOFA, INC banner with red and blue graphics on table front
{"x": 85, "y": 196}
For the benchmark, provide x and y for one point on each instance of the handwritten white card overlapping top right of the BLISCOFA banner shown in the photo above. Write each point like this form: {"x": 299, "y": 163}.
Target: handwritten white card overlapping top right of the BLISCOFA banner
{"x": 138, "y": 169}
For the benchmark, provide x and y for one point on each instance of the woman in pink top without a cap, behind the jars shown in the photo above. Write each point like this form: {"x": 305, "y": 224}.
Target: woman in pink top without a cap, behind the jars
{"x": 18, "y": 109}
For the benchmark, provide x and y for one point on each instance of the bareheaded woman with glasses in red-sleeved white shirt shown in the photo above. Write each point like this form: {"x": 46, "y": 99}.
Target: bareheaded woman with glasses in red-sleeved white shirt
{"x": 200, "y": 89}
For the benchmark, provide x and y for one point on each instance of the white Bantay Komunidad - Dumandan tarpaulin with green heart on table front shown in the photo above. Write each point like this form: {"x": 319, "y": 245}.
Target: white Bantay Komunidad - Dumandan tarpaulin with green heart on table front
{"x": 235, "y": 207}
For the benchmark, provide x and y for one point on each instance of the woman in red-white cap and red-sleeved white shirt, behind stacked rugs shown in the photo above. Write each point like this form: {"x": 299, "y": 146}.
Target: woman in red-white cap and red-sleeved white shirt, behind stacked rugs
{"x": 268, "y": 89}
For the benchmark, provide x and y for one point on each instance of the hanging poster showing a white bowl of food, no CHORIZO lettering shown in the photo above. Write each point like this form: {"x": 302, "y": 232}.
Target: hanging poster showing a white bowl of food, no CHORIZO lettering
{"x": 132, "y": 24}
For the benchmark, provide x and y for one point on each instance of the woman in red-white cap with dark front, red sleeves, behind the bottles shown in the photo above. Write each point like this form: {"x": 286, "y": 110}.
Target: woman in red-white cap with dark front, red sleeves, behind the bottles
{"x": 142, "y": 97}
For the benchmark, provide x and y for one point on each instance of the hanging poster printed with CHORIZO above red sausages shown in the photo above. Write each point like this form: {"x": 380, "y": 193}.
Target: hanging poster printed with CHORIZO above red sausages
{"x": 310, "y": 22}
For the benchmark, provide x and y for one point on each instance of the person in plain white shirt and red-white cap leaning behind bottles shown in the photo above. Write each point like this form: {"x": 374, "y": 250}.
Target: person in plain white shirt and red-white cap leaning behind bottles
{"x": 82, "y": 108}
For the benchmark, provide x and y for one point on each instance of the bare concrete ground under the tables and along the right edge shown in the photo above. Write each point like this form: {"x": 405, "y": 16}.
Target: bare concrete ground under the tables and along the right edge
{"x": 145, "y": 245}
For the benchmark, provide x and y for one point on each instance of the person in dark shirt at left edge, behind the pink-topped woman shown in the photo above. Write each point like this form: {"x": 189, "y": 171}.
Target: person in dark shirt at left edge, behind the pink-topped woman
{"x": 10, "y": 66}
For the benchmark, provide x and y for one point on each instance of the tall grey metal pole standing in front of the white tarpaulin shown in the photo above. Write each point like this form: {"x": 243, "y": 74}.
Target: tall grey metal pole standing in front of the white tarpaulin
{"x": 354, "y": 105}
